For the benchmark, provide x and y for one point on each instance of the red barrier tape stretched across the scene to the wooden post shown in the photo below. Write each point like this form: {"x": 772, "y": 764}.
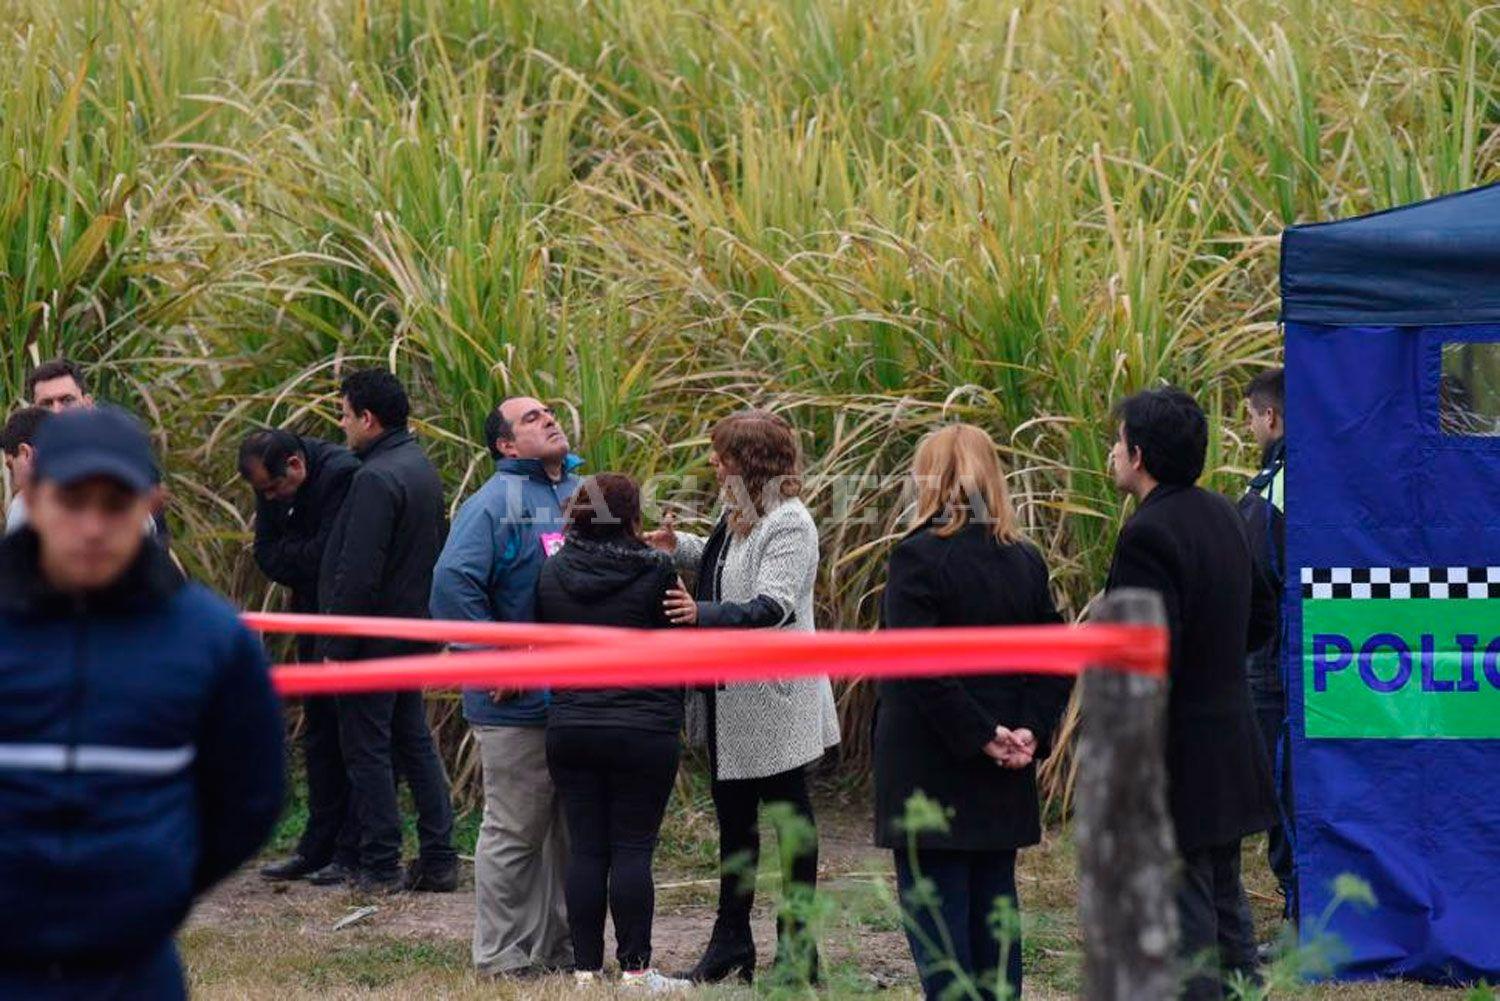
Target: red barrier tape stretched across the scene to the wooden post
{"x": 592, "y": 657}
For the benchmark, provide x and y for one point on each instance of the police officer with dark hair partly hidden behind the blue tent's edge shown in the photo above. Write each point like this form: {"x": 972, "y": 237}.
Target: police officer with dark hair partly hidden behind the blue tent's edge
{"x": 1264, "y": 510}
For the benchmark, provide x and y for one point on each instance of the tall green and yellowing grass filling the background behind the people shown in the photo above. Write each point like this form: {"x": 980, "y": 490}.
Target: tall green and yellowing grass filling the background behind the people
{"x": 874, "y": 215}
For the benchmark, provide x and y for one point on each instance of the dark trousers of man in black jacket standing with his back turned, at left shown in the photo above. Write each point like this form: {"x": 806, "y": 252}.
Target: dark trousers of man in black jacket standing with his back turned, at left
{"x": 385, "y": 736}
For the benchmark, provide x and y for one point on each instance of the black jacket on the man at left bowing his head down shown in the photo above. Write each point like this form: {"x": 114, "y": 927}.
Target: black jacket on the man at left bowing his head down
{"x": 290, "y": 538}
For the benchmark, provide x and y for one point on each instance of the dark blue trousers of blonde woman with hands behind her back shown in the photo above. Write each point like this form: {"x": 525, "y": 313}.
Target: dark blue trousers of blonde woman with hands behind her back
{"x": 952, "y": 937}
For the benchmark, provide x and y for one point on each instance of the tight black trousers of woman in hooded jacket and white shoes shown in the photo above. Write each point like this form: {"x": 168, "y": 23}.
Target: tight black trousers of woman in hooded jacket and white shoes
{"x": 616, "y": 784}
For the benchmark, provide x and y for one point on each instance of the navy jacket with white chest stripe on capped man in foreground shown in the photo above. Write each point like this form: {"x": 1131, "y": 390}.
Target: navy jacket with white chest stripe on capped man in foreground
{"x": 140, "y": 762}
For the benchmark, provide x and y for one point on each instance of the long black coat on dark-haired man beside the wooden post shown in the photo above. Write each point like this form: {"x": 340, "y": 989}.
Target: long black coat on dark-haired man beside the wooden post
{"x": 1192, "y": 547}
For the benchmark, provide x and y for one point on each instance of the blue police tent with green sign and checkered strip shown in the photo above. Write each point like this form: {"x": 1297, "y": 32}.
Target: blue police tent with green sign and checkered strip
{"x": 1393, "y": 645}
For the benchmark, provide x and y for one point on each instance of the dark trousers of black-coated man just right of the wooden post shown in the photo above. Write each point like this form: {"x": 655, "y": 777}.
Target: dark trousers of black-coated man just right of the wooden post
{"x": 1219, "y": 937}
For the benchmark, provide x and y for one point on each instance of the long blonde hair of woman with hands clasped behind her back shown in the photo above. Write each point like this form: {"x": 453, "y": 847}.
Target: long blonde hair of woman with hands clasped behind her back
{"x": 959, "y": 476}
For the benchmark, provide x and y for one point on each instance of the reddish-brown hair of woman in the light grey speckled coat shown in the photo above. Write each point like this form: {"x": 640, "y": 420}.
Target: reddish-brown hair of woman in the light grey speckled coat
{"x": 767, "y": 463}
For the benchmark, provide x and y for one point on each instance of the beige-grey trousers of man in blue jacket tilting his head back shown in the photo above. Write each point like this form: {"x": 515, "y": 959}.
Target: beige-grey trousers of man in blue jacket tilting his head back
{"x": 521, "y": 921}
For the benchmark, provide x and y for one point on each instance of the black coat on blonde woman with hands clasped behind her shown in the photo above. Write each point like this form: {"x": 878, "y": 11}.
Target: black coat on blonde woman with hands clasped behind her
{"x": 931, "y": 733}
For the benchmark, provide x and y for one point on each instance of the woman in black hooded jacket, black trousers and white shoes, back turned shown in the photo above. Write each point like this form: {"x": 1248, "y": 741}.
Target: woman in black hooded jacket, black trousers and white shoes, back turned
{"x": 613, "y": 753}
